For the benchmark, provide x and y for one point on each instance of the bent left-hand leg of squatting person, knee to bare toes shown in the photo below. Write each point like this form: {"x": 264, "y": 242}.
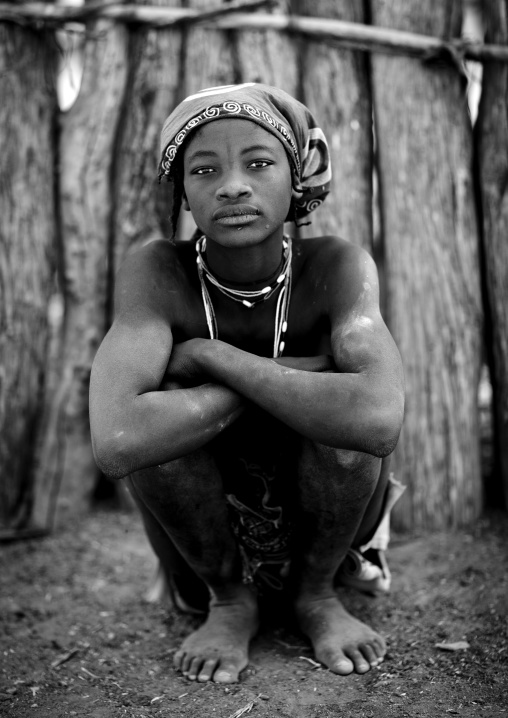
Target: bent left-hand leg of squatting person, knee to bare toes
{"x": 185, "y": 499}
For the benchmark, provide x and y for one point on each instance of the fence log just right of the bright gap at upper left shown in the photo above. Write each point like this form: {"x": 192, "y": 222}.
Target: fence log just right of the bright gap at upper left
{"x": 86, "y": 156}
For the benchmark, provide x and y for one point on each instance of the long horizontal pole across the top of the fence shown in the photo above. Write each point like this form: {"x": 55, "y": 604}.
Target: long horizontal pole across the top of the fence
{"x": 352, "y": 35}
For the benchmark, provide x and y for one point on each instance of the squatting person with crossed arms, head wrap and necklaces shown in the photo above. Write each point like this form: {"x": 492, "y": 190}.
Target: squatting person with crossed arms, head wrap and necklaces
{"x": 250, "y": 390}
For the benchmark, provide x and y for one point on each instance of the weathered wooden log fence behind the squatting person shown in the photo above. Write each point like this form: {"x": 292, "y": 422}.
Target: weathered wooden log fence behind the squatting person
{"x": 78, "y": 191}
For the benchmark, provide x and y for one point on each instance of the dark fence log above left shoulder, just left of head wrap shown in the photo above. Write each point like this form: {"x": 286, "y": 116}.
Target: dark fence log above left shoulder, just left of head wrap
{"x": 141, "y": 204}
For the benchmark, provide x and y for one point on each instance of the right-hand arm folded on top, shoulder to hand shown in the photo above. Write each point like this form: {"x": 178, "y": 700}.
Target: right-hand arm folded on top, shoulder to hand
{"x": 359, "y": 407}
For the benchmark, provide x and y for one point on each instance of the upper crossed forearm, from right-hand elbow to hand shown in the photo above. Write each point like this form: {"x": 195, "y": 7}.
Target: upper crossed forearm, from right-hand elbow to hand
{"x": 343, "y": 410}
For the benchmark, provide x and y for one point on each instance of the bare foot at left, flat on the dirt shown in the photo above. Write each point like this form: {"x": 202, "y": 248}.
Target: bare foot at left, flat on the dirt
{"x": 219, "y": 649}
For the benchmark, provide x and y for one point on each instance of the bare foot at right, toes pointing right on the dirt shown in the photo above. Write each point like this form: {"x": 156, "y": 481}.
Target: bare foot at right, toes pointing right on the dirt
{"x": 342, "y": 643}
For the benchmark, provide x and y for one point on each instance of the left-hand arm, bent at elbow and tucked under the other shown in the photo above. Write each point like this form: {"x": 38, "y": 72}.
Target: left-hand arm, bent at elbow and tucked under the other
{"x": 133, "y": 423}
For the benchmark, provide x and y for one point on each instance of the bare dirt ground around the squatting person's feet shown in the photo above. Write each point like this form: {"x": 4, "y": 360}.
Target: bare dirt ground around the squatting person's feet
{"x": 77, "y": 637}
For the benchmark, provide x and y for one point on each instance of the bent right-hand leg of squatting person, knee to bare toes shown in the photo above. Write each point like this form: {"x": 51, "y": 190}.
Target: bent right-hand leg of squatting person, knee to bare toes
{"x": 337, "y": 494}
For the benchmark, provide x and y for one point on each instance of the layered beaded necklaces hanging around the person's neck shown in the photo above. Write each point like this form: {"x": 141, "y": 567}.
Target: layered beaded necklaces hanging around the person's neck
{"x": 281, "y": 283}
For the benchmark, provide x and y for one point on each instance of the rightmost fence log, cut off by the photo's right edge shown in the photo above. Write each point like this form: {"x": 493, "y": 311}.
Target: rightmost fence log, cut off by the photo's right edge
{"x": 492, "y": 152}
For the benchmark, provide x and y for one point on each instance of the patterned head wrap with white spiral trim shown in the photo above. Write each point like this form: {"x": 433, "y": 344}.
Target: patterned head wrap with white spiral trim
{"x": 275, "y": 111}
